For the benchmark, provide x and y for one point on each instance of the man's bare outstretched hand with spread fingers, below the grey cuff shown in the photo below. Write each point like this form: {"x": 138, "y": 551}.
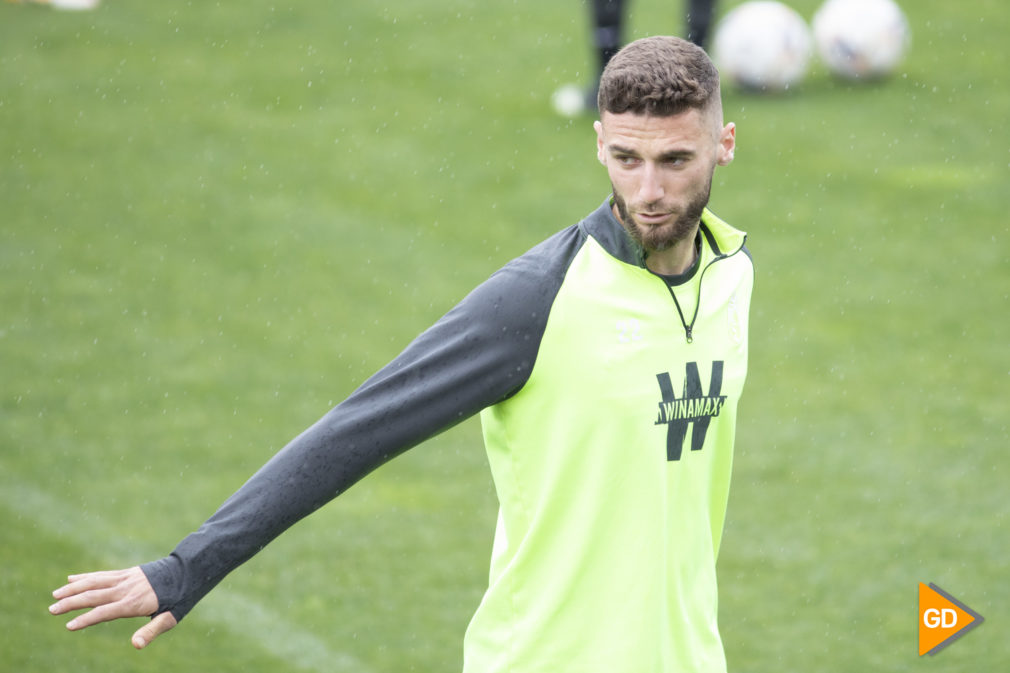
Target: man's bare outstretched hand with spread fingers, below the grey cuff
{"x": 113, "y": 595}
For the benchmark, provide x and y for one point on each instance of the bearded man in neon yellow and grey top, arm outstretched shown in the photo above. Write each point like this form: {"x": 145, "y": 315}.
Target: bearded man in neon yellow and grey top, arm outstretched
{"x": 607, "y": 364}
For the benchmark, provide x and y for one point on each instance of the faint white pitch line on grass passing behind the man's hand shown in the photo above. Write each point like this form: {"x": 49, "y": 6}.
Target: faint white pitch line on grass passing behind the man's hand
{"x": 235, "y": 612}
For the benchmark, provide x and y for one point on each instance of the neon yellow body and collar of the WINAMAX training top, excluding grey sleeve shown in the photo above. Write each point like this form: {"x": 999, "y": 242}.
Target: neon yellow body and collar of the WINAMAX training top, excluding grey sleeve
{"x": 613, "y": 468}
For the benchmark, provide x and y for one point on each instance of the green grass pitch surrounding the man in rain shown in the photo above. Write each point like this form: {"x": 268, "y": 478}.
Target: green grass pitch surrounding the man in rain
{"x": 217, "y": 219}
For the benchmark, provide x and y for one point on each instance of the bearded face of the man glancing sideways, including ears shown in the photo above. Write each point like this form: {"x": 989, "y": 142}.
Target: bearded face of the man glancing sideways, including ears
{"x": 661, "y": 170}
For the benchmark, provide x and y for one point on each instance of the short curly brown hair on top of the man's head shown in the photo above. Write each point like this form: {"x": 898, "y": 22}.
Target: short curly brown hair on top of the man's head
{"x": 661, "y": 76}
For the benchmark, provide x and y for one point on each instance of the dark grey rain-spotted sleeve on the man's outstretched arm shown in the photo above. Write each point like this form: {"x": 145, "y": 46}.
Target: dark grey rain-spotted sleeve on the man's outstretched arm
{"x": 478, "y": 354}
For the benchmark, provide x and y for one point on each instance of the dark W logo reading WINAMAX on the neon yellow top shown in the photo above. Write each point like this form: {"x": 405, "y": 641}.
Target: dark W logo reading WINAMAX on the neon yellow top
{"x": 693, "y": 407}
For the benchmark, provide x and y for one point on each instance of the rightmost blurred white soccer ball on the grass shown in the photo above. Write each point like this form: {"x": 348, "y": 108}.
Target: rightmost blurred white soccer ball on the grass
{"x": 861, "y": 39}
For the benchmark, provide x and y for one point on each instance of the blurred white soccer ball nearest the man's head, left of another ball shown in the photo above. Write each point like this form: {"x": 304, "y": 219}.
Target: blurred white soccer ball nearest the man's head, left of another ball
{"x": 763, "y": 46}
